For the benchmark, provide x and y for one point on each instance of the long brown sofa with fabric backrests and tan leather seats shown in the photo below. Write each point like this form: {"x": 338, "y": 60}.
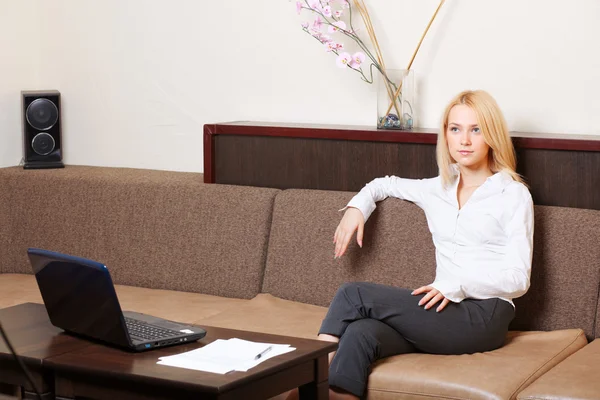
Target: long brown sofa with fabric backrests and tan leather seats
{"x": 262, "y": 259}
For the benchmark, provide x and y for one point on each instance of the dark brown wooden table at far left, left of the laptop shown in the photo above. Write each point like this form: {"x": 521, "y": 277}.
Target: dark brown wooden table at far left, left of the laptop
{"x": 34, "y": 339}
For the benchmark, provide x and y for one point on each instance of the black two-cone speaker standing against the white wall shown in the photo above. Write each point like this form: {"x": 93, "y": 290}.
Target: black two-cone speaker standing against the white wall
{"x": 42, "y": 142}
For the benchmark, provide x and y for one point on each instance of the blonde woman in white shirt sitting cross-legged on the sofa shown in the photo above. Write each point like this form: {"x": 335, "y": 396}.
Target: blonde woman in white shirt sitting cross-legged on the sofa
{"x": 480, "y": 215}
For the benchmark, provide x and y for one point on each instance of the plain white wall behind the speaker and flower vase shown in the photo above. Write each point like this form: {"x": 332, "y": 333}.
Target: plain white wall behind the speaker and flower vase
{"x": 140, "y": 78}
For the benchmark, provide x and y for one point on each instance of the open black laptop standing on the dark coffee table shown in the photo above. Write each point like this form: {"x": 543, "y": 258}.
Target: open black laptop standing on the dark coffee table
{"x": 80, "y": 298}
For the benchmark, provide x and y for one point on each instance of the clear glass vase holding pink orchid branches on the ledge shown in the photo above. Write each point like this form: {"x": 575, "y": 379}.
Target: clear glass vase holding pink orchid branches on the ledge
{"x": 395, "y": 99}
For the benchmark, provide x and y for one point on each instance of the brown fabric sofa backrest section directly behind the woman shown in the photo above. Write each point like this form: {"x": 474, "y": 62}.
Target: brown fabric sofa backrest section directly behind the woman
{"x": 398, "y": 250}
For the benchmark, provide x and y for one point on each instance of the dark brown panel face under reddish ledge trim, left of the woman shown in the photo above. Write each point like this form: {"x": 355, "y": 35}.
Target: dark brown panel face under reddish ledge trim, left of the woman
{"x": 316, "y": 164}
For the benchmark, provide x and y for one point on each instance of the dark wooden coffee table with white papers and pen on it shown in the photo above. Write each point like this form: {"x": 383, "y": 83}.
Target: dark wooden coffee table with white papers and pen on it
{"x": 101, "y": 372}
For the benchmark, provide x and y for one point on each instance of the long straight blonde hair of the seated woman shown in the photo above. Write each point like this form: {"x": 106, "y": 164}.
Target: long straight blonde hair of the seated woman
{"x": 492, "y": 124}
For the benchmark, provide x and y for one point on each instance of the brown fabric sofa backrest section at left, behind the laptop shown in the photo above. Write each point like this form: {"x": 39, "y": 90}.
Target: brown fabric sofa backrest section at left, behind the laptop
{"x": 154, "y": 229}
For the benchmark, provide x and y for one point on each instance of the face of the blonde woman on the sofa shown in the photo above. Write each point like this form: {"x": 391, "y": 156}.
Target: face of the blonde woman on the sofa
{"x": 465, "y": 140}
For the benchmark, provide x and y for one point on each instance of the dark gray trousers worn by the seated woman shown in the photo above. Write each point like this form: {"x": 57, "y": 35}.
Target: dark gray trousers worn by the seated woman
{"x": 375, "y": 321}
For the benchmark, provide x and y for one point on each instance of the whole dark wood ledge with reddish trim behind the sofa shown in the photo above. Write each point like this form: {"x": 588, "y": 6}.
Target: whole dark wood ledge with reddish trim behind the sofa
{"x": 562, "y": 170}
